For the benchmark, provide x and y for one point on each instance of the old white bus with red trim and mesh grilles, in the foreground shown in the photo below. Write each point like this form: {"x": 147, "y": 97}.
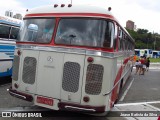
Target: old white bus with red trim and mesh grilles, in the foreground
{"x": 71, "y": 57}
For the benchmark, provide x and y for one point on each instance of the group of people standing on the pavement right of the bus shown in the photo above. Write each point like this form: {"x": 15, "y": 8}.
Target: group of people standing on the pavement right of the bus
{"x": 142, "y": 65}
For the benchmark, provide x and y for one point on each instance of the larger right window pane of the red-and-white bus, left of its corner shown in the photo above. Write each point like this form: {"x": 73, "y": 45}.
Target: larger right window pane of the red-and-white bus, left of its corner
{"x": 85, "y": 32}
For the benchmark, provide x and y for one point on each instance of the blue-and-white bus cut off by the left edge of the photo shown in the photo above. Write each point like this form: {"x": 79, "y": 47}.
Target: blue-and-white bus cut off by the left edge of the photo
{"x": 9, "y": 29}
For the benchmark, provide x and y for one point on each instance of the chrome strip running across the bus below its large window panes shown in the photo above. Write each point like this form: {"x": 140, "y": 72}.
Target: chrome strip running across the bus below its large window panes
{"x": 75, "y": 50}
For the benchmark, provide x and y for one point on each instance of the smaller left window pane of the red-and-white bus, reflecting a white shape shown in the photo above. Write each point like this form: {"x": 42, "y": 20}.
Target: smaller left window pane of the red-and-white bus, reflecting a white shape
{"x": 37, "y": 30}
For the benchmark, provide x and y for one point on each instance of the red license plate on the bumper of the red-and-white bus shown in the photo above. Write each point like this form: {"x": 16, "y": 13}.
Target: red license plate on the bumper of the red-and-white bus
{"x": 44, "y": 100}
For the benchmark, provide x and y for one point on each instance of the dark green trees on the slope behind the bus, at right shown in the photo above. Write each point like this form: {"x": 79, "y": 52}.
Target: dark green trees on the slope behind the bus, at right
{"x": 145, "y": 39}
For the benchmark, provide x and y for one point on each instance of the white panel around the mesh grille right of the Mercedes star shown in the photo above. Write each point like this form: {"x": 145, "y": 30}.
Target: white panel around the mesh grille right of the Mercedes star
{"x": 72, "y": 77}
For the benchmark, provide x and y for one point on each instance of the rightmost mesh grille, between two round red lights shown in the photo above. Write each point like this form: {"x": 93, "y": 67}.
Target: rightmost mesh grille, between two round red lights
{"x": 94, "y": 79}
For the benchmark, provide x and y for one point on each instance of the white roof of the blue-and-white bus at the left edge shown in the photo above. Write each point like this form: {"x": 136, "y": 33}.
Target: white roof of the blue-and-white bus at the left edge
{"x": 10, "y": 21}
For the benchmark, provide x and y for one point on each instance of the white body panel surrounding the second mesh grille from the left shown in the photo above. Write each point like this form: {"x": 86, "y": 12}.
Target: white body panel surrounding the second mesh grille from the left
{"x": 29, "y": 63}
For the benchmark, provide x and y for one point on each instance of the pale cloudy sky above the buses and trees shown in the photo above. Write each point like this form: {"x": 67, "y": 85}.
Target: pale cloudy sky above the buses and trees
{"x": 145, "y": 13}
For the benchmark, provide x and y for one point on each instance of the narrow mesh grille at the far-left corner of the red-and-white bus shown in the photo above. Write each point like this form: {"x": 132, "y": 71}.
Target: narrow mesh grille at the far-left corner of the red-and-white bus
{"x": 15, "y": 67}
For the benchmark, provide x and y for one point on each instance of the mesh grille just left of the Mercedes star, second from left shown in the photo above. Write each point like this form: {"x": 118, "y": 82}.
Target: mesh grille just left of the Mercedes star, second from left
{"x": 29, "y": 70}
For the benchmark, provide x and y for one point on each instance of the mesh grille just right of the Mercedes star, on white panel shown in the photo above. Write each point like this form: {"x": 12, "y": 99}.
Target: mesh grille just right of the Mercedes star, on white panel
{"x": 71, "y": 75}
